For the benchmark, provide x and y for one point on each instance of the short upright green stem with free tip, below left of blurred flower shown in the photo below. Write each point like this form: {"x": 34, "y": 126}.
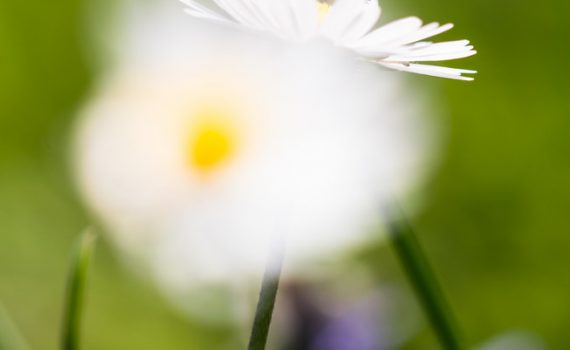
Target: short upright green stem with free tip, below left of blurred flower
{"x": 73, "y": 311}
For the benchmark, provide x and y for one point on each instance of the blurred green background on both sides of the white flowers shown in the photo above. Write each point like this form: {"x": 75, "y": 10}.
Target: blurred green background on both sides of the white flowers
{"x": 494, "y": 219}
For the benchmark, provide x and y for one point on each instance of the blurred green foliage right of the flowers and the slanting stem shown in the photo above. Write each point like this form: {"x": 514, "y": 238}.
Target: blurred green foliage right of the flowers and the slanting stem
{"x": 496, "y": 222}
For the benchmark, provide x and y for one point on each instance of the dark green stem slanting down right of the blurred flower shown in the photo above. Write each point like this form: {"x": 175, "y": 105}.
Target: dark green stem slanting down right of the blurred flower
{"x": 422, "y": 277}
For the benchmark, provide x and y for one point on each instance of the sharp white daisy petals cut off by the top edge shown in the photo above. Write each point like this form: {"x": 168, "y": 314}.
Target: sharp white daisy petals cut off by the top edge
{"x": 347, "y": 23}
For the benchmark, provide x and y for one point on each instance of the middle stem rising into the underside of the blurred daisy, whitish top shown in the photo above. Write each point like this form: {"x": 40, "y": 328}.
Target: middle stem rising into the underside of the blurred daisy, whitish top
{"x": 267, "y": 296}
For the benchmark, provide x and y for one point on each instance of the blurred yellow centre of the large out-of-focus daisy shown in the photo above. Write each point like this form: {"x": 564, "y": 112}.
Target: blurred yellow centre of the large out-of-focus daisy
{"x": 212, "y": 141}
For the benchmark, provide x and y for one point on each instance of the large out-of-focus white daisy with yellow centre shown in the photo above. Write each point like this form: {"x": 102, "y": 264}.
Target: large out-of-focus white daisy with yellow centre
{"x": 202, "y": 143}
